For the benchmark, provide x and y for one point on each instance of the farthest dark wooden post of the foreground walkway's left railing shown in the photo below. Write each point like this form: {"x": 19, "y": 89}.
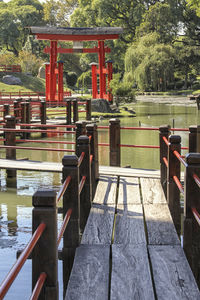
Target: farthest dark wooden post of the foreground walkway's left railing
{"x": 92, "y": 131}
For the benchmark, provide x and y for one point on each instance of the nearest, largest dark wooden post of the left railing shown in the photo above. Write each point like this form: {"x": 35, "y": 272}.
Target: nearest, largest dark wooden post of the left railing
{"x": 45, "y": 253}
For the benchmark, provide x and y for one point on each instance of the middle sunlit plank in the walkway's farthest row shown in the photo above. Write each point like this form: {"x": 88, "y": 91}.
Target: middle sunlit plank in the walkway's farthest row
{"x": 129, "y": 192}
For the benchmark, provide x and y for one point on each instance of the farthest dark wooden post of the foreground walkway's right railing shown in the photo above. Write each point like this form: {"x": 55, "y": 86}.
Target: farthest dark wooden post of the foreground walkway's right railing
{"x": 164, "y": 132}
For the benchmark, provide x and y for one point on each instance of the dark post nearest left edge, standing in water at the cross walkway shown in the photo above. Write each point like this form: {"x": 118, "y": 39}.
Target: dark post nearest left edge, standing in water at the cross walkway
{"x": 10, "y": 140}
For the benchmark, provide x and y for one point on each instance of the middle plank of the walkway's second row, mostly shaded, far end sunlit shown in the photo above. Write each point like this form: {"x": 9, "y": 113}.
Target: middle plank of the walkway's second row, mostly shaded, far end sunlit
{"x": 129, "y": 226}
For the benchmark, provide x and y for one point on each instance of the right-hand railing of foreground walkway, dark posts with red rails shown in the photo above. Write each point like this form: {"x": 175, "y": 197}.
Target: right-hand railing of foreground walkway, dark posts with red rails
{"x": 170, "y": 163}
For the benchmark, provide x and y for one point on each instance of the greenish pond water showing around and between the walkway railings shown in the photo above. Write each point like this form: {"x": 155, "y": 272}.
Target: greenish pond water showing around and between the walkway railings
{"x": 16, "y": 203}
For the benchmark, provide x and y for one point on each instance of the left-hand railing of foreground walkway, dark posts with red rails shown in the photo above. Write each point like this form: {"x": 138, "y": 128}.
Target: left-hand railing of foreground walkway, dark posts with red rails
{"x": 76, "y": 191}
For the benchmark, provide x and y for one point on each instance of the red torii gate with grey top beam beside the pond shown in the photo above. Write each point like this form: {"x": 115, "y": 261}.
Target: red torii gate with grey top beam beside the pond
{"x": 54, "y": 70}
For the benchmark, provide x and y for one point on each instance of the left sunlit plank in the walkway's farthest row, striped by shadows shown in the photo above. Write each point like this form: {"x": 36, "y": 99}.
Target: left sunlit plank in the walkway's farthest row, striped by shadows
{"x": 106, "y": 190}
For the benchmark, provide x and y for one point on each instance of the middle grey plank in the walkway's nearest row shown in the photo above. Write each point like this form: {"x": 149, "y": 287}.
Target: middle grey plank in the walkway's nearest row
{"x": 131, "y": 277}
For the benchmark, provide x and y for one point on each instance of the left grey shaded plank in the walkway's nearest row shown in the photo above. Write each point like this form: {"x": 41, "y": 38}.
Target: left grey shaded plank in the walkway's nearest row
{"x": 89, "y": 278}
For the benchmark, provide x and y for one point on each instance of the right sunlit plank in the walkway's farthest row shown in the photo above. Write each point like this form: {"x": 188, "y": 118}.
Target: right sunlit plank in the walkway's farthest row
{"x": 152, "y": 192}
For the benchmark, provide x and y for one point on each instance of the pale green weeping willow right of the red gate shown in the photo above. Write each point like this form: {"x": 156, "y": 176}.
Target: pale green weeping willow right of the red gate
{"x": 149, "y": 63}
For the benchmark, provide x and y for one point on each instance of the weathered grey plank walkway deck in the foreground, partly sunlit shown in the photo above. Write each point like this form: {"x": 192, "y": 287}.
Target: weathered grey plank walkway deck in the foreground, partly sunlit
{"x": 129, "y": 248}
